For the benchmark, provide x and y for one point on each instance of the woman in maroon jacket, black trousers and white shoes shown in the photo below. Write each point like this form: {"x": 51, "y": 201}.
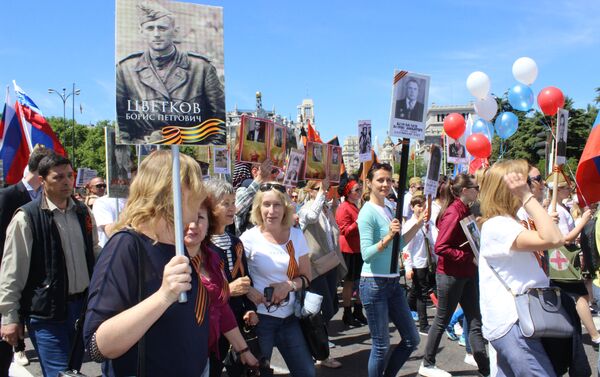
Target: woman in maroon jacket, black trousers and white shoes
{"x": 455, "y": 276}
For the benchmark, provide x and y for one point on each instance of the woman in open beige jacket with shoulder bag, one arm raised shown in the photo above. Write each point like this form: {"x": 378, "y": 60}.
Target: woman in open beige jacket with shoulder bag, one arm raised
{"x": 326, "y": 261}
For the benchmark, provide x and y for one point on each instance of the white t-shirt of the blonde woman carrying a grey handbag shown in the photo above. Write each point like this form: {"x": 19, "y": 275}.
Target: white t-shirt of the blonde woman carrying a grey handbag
{"x": 519, "y": 269}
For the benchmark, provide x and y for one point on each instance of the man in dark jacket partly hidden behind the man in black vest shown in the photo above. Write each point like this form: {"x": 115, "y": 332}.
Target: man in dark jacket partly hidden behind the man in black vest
{"x": 11, "y": 198}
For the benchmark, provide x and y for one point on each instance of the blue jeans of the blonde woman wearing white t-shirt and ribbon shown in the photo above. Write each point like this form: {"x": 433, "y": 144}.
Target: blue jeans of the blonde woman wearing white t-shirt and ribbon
{"x": 286, "y": 335}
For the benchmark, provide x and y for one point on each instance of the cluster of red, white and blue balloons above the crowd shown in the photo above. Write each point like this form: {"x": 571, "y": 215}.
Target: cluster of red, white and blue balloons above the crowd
{"x": 520, "y": 97}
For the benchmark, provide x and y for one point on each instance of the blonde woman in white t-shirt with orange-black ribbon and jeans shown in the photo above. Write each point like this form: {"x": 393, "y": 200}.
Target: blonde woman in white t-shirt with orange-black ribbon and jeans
{"x": 277, "y": 255}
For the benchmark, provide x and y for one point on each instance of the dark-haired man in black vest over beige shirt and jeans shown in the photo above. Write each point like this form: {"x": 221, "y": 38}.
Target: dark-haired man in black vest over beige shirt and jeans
{"x": 48, "y": 260}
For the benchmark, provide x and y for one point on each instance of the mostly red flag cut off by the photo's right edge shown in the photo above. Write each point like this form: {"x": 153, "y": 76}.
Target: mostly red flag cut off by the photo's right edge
{"x": 588, "y": 170}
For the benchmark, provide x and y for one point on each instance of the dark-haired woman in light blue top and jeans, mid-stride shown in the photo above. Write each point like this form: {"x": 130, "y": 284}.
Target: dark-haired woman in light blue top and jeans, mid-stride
{"x": 380, "y": 290}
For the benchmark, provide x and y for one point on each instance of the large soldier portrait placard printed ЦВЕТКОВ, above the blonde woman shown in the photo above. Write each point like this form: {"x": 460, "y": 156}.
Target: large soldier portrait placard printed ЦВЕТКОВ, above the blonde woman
{"x": 169, "y": 73}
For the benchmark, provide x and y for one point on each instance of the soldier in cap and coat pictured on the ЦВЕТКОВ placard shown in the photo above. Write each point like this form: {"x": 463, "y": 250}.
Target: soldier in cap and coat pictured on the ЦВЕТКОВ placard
{"x": 161, "y": 84}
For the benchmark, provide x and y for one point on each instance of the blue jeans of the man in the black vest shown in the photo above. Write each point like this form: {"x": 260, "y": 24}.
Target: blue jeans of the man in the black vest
{"x": 52, "y": 340}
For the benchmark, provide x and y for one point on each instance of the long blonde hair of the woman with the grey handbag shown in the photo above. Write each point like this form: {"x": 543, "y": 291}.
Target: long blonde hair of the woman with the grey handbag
{"x": 495, "y": 197}
